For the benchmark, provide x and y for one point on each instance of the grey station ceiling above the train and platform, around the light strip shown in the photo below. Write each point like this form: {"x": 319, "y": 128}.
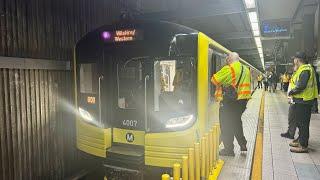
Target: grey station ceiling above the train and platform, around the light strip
{"x": 226, "y": 21}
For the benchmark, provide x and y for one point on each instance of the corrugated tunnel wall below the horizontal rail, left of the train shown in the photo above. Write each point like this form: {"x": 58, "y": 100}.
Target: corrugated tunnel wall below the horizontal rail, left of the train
{"x": 37, "y": 130}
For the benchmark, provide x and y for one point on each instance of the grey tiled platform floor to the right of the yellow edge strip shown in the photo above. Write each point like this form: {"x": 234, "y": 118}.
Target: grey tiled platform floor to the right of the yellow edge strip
{"x": 278, "y": 161}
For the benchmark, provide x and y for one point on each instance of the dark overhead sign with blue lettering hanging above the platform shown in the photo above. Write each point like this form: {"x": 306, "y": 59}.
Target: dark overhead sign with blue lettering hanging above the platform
{"x": 275, "y": 28}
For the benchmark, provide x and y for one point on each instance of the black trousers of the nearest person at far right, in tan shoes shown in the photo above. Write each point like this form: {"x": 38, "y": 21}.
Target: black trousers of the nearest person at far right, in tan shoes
{"x": 302, "y": 114}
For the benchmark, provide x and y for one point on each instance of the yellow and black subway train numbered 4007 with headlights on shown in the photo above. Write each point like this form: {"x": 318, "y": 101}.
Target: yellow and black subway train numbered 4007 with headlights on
{"x": 143, "y": 94}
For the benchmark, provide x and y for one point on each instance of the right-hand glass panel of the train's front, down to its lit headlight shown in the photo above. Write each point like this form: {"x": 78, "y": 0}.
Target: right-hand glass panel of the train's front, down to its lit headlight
{"x": 174, "y": 92}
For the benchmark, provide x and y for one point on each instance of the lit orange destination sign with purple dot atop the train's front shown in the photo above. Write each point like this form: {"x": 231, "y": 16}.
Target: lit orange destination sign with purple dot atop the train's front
{"x": 122, "y": 35}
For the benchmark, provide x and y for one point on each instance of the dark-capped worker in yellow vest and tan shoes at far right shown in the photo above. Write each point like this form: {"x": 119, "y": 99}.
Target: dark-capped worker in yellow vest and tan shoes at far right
{"x": 304, "y": 90}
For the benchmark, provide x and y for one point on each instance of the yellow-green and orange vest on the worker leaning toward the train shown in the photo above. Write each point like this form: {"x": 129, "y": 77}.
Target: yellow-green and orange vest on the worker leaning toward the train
{"x": 229, "y": 76}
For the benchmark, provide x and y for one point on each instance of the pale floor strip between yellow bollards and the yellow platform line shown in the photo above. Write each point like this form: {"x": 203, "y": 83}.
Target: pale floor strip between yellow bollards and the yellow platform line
{"x": 239, "y": 167}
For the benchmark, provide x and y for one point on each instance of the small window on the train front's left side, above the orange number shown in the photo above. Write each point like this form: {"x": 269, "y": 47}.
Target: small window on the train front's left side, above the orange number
{"x": 88, "y": 78}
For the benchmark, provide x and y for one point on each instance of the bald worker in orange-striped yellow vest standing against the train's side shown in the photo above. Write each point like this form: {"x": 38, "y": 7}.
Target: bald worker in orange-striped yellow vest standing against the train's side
{"x": 233, "y": 91}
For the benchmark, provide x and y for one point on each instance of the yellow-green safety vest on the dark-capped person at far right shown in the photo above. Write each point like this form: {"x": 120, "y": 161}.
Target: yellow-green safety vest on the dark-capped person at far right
{"x": 311, "y": 91}
